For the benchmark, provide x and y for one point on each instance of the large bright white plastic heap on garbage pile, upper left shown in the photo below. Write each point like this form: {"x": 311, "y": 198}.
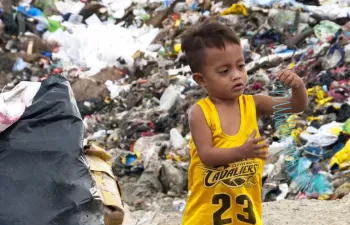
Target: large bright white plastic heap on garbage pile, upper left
{"x": 106, "y": 43}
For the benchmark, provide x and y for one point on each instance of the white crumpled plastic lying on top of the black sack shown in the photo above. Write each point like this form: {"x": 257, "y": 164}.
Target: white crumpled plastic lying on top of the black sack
{"x": 14, "y": 102}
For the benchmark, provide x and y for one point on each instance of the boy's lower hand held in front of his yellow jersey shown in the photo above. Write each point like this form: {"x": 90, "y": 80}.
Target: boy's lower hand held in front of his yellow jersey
{"x": 252, "y": 149}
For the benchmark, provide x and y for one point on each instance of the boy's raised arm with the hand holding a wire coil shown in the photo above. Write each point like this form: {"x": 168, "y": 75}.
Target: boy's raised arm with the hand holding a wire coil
{"x": 298, "y": 102}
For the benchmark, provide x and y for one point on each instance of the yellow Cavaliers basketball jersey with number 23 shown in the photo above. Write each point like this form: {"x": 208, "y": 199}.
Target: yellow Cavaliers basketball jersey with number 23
{"x": 228, "y": 194}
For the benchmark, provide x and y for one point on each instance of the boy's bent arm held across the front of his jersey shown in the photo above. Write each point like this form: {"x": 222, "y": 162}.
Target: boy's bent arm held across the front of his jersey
{"x": 211, "y": 156}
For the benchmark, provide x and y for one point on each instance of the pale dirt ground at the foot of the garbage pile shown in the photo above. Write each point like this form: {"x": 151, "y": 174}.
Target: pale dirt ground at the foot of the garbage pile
{"x": 286, "y": 212}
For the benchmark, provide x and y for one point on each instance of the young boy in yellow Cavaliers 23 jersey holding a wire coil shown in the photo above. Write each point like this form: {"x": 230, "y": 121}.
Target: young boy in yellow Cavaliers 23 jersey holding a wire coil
{"x": 227, "y": 152}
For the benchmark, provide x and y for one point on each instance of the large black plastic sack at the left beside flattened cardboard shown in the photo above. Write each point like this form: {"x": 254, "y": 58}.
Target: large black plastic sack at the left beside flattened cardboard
{"x": 44, "y": 178}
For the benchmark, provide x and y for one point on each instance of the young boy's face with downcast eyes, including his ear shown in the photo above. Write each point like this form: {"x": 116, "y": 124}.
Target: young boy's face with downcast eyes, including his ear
{"x": 224, "y": 74}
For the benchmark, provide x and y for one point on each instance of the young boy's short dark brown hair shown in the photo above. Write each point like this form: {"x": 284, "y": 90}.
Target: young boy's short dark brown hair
{"x": 206, "y": 33}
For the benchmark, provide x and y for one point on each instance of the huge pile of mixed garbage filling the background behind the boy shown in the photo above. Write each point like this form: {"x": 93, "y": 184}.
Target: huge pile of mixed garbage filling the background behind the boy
{"x": 133, "y": 85}
